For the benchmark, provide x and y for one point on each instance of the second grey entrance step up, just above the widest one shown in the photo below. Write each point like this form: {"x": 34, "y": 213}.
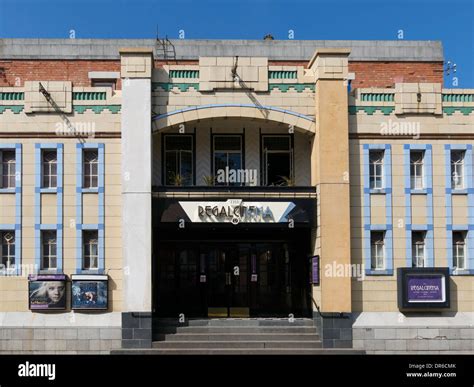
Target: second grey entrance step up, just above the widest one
{"x": 236, "y": 344}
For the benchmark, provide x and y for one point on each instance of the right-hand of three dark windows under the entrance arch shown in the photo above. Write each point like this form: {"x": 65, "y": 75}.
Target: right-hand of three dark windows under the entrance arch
{"x": 277, "y": 160}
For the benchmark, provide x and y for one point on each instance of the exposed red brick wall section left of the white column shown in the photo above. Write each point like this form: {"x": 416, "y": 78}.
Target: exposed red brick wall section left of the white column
{"x": 16, "y": 72}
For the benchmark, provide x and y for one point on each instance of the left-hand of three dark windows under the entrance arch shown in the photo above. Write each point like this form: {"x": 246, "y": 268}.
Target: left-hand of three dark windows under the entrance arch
{"x": 179, "y": 160}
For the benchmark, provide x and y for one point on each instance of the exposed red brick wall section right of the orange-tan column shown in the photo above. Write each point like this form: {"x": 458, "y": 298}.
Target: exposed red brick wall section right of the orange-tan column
{"x": 384, "y": 74}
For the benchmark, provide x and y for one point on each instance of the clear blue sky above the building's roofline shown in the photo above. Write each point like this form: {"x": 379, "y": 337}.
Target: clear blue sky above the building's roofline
{"x": 451, "y": 21}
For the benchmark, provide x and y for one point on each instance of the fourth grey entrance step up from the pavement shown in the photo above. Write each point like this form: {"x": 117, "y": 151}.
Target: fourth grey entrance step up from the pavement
{"x": 235, "y": 329}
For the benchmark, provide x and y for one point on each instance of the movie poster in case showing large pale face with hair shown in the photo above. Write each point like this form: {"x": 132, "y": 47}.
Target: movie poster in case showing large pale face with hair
{"x": 47, "y": 292}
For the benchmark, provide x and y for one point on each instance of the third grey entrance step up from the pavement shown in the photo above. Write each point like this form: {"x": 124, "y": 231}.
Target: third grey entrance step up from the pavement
{"x": 237, "y": 337}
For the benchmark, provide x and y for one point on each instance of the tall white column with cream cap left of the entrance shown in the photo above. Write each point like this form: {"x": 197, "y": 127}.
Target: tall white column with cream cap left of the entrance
{"x": 136, "y": 70}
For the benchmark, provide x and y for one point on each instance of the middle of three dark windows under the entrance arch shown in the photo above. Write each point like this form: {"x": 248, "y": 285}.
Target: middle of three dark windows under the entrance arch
{"x": 227, "y": 158}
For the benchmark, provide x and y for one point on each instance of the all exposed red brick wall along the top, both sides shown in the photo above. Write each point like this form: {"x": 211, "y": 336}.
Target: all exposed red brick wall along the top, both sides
{"x": 367, "y": 74}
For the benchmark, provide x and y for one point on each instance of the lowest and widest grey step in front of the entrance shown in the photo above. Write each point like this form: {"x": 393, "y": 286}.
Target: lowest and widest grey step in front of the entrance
{"x": 242, "y": 351}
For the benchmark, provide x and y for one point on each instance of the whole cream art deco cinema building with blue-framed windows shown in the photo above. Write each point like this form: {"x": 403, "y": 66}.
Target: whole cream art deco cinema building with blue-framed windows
{"x": 234, "y": 197}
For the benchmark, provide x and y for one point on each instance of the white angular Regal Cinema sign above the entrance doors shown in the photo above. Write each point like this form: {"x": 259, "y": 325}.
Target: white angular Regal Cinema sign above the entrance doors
{"x": 236, "y": 211}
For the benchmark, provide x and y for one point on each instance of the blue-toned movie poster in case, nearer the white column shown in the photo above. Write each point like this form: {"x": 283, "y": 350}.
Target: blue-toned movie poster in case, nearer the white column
{"x": 89, "y": 293}
